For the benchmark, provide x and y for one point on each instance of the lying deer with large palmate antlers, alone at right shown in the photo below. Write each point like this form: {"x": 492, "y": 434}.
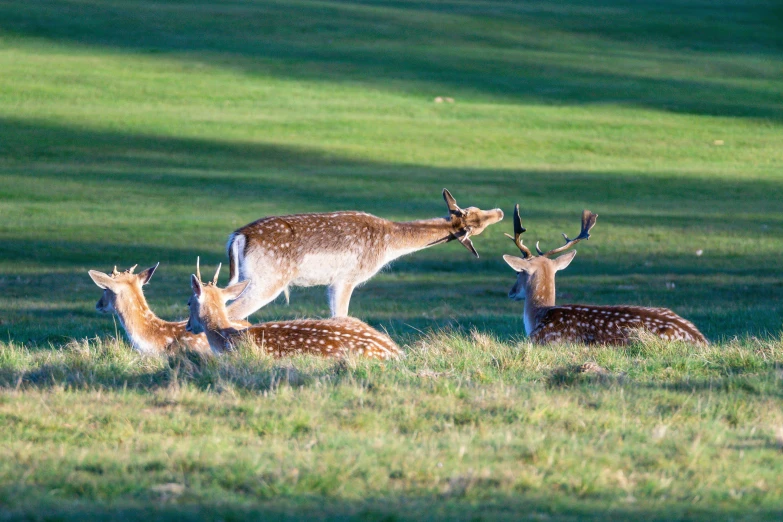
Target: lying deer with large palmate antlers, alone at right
{"x": 547, "y": 323}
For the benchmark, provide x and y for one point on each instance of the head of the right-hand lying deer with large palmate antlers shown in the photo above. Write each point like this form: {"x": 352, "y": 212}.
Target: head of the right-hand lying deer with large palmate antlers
{"x": 536, "y": 274}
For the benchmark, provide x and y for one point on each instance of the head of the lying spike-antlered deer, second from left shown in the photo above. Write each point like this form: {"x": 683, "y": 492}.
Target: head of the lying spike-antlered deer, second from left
{"x": 208, "y": 303}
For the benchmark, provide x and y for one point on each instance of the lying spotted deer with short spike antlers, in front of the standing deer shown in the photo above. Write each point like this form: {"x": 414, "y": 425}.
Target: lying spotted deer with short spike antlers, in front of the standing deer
{"x": 334, "y": 337}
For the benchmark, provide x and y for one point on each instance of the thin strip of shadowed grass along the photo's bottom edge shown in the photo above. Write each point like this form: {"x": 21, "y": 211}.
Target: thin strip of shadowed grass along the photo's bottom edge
{"x": 520, "y": 506}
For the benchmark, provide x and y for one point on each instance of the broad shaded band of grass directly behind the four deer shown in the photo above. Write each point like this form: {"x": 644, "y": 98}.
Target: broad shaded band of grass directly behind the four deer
{"x": 165, "y": 198}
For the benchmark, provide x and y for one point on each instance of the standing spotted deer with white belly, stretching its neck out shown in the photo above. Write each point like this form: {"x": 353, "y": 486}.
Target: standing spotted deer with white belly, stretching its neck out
{"x": 338, "y": 249}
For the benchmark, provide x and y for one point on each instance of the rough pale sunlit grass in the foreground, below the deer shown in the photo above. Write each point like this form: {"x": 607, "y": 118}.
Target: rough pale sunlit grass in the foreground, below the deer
{"x": 497, "y": 429}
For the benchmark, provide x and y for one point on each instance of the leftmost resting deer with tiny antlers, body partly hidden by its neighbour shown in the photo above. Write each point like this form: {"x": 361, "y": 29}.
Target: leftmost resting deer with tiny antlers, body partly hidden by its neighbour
{"x": 123, "y": 295}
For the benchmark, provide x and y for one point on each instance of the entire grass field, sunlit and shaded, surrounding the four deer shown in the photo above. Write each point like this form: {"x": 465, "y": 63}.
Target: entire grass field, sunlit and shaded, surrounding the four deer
{"x": 137, "y": 132}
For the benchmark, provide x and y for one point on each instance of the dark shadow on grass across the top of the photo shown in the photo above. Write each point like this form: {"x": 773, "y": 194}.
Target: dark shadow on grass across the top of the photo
{"x": 718, "y": 58}
